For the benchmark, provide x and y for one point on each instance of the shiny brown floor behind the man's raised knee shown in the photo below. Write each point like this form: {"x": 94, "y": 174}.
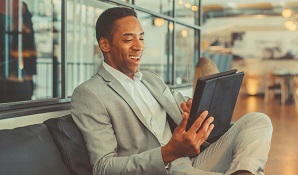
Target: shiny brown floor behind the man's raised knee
{"x": 283, "y": 156}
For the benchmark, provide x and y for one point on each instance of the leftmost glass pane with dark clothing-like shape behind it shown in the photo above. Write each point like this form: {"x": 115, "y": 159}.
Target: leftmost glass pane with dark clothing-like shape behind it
{"x": 29, "y": 50}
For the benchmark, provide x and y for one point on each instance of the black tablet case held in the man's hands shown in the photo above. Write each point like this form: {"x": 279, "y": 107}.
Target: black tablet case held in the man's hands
{"x": 218, "y": 94}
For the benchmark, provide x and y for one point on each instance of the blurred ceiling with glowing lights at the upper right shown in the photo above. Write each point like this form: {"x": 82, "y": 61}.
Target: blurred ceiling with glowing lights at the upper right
{"x": 230, "y": 15}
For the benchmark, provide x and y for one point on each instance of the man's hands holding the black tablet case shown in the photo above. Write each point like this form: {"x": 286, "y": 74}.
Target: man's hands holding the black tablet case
{"x": 187, "y": 143}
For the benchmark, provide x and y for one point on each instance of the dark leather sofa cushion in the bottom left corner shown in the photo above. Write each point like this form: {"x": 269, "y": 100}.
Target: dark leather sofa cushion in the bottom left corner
{"x": 30, "y": 150}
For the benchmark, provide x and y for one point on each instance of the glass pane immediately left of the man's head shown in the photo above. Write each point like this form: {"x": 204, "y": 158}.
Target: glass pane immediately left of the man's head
{"x": 83, "y": 53}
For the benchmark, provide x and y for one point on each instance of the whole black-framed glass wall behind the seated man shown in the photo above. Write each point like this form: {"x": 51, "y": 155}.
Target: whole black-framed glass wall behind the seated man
{"x": 32, "y": 35}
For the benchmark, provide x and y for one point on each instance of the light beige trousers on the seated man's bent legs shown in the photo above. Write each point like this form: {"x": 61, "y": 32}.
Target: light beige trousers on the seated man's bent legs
{"x": 245, "y": 146}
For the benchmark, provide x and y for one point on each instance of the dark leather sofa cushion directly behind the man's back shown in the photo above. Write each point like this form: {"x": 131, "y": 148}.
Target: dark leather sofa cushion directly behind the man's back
{"x": 71, "y": 144}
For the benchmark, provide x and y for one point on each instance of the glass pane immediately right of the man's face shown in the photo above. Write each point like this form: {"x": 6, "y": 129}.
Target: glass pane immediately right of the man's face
{"x": 157, "y": 55}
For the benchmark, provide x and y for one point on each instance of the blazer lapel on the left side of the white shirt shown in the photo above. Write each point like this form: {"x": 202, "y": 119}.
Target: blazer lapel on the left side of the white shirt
{"x": 117, "y": 86}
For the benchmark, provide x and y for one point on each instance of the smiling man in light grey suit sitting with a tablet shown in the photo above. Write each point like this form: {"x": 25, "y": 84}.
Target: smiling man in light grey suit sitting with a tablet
{"x": 125, "y": 114}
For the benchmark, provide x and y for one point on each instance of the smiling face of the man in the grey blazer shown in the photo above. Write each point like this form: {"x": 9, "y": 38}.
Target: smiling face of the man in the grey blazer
{"x": 126, "y": 48}
